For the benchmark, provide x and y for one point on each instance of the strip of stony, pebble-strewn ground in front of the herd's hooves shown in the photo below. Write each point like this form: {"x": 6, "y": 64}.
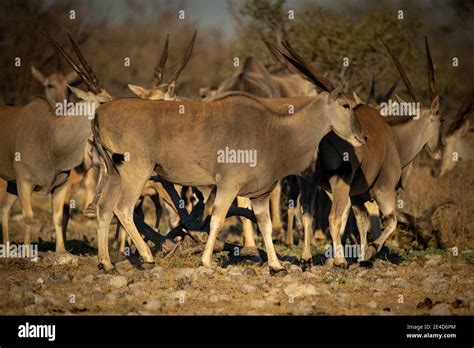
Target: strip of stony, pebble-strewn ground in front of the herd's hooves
{"x": 56, "y": 284}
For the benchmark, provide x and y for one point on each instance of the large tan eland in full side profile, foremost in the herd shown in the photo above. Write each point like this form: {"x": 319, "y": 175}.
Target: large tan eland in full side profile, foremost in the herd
{"x": 183, "y": 148}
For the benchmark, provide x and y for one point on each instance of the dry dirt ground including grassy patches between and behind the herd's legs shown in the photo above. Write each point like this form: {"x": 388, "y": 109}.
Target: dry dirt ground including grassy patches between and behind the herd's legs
{"x": 403, "y": 280}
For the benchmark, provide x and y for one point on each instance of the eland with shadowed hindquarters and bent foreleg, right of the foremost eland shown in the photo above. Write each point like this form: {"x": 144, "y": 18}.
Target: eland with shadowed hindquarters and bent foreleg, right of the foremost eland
{"x": 372, "y": 171}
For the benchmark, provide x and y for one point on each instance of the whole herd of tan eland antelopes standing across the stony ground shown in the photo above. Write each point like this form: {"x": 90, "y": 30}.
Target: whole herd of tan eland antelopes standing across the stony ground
{"x": 301, "y": 129}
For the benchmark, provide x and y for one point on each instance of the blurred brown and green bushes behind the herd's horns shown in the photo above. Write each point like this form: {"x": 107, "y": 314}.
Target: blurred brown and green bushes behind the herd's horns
{"x": 325, "y": 32}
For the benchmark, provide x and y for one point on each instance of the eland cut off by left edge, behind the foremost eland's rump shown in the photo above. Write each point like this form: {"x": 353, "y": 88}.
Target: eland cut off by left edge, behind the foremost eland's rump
{"x": 40, "y": 148}
